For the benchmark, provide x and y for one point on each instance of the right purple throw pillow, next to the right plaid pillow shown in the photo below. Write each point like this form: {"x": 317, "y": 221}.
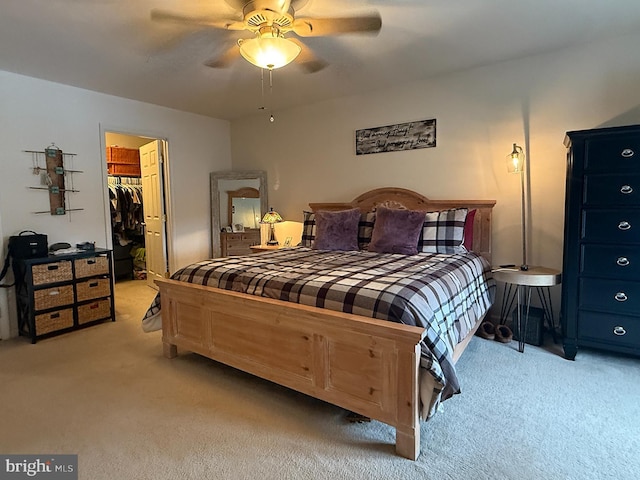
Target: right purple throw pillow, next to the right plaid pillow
{"x": 396, "y": 231}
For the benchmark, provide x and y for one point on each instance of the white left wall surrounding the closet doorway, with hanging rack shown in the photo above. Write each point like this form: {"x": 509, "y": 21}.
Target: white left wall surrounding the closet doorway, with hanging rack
{"x": 35, "y": 113}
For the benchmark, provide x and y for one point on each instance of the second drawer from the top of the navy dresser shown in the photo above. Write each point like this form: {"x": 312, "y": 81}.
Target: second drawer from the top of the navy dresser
{"x": 616, "y": 189}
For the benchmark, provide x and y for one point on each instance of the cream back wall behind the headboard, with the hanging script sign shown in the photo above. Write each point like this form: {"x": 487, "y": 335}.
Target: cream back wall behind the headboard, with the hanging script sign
{"x": 308, "y": 152}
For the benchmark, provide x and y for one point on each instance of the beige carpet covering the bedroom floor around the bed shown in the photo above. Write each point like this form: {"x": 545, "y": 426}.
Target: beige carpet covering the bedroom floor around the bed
{"x": 107, "y": 394}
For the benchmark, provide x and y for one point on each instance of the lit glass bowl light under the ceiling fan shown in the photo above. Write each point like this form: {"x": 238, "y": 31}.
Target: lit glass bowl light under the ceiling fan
{"x": 269, "y": 51}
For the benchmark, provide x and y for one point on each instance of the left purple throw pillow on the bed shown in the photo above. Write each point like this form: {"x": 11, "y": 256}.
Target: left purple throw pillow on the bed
{"x": 337, "y": 230}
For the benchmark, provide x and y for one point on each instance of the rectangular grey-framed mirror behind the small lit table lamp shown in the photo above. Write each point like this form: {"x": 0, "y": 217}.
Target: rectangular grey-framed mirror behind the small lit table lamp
{"x": 223, "y": 200}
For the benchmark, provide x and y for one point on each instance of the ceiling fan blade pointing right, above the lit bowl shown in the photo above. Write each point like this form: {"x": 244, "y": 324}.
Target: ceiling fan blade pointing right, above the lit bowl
{"x": 318, "y": 27}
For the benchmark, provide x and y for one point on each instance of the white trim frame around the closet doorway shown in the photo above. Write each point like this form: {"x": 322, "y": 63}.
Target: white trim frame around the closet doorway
{"x": 166, "y": 185}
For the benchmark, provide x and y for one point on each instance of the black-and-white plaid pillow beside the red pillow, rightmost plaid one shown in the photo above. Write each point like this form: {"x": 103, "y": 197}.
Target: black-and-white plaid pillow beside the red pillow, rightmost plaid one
{"x": 443, "y": 232}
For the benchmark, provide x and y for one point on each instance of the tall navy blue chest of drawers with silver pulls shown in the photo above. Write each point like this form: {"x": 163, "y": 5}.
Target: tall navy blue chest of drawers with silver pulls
{"x": 601, "y": 266}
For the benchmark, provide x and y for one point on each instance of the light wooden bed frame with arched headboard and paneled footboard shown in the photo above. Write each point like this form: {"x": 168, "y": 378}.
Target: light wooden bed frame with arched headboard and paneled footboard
{"x": 365, "y": 365}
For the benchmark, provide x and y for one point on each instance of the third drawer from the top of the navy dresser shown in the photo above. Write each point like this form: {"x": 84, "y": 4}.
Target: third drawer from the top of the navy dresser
{"x": 611, "y": 225}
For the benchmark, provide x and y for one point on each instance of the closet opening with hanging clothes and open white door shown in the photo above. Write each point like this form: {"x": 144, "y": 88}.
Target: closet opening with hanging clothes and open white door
{"x": 138, "y": 214}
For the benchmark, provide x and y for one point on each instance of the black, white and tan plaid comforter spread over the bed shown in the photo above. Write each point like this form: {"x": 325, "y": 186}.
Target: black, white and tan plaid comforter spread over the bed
{"x": 446, "y": 294}
